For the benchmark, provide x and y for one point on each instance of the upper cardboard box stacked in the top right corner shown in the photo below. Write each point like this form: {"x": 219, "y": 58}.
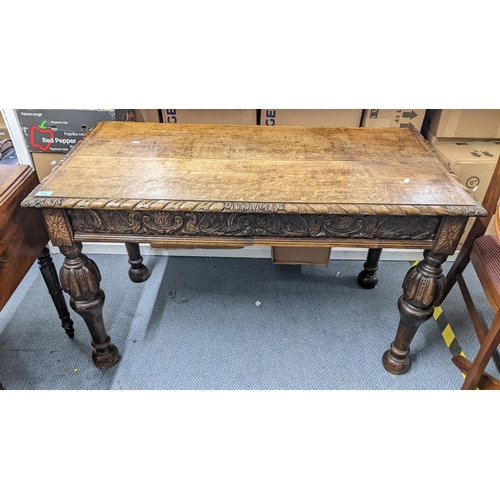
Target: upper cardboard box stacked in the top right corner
{"x": 462, "y": 123}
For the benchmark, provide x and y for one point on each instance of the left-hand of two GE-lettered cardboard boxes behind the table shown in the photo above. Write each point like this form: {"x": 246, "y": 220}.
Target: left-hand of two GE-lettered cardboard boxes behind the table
{"x": 218, "y": 116}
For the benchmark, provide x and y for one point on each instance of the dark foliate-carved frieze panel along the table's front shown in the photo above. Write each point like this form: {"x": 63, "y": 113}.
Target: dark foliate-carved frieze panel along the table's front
{"x": 237, "y": 224}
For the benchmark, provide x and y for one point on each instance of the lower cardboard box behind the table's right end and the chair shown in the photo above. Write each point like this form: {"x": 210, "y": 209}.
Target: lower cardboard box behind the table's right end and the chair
{"x": 473, "y": 163}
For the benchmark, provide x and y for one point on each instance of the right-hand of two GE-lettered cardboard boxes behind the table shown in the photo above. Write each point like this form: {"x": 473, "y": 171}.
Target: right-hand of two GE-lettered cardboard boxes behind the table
{"x": 311, "y": 117}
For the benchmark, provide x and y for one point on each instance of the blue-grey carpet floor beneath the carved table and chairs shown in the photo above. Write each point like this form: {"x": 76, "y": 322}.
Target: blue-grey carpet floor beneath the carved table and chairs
{"x": 195, "y": 325}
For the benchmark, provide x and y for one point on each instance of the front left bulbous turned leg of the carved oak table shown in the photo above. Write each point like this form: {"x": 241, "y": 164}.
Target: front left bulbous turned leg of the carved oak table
{"x": 80, "y": 278}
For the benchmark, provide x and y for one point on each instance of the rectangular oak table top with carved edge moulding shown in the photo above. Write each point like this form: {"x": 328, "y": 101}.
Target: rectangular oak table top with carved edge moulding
{"x": 255, "y": 169}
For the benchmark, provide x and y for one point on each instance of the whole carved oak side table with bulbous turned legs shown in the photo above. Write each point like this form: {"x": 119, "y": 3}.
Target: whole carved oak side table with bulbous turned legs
{"x": 227, "y": 185}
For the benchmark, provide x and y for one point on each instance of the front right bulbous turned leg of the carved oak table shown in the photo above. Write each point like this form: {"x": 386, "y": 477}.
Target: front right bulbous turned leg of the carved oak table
{"x": 423, "y": 288}
